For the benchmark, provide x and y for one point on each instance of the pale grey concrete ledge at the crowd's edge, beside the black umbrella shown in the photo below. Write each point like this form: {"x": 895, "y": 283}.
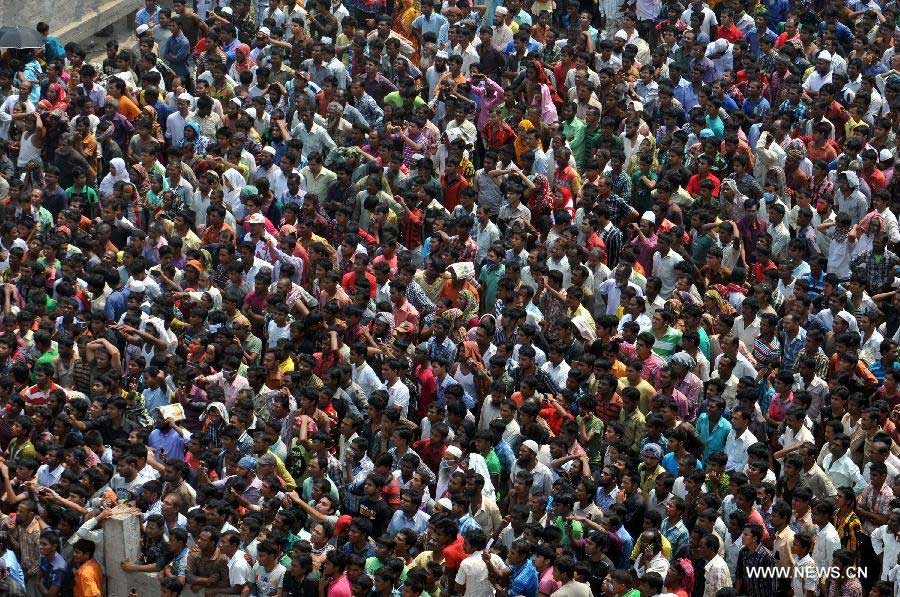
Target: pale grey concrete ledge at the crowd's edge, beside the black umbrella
{"x": 69, "y": 20}
